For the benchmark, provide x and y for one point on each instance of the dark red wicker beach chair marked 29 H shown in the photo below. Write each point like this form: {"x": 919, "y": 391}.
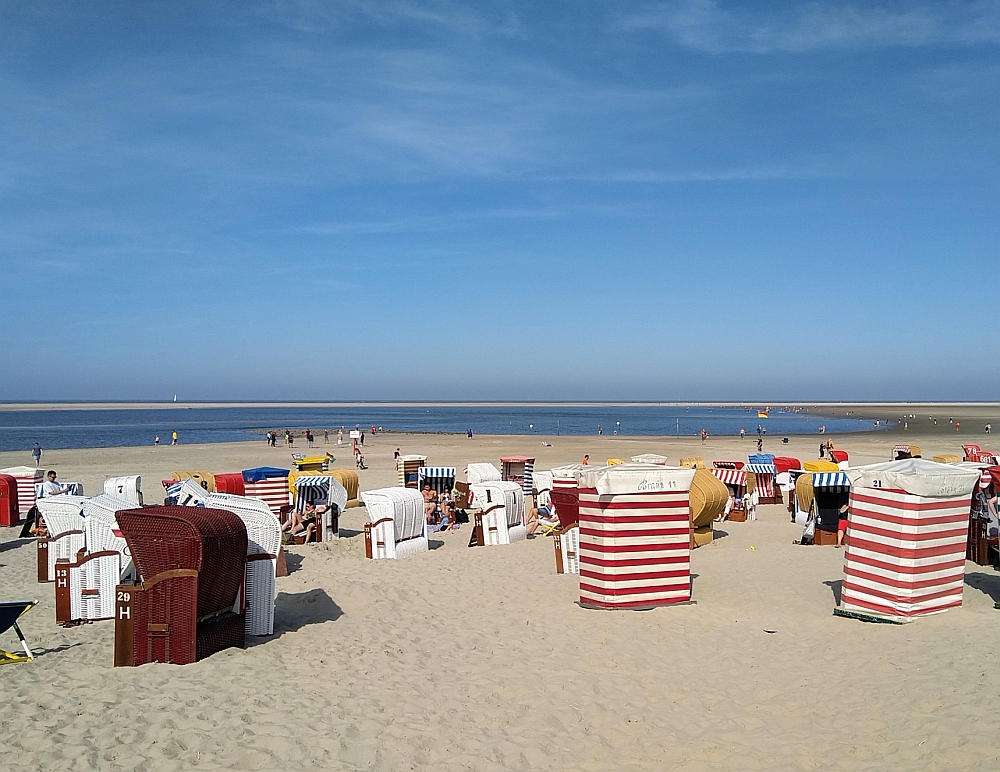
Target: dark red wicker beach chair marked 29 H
{"x": 191, "y": 563}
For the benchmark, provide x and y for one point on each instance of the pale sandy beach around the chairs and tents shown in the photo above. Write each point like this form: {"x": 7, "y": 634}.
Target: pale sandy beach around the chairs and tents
{"x": 480, "y": 658}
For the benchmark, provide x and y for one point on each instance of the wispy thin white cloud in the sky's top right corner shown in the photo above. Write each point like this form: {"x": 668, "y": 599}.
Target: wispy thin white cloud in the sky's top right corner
{"x": 705, "y": 25}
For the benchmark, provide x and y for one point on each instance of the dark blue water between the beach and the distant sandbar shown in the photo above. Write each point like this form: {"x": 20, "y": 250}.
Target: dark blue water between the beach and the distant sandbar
{"x": 106, "y": 428}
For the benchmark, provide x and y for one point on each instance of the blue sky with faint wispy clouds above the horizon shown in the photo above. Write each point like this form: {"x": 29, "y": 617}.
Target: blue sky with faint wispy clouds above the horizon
{"x": 566, "y": 200}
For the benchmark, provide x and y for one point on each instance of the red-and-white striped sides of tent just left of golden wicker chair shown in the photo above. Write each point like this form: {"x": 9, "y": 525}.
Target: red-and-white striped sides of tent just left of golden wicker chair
{"x": 634, "y": 549}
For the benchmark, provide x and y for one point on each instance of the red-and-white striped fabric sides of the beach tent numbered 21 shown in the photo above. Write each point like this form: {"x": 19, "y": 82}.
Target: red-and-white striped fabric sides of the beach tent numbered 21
{"x": 905, "y": 554}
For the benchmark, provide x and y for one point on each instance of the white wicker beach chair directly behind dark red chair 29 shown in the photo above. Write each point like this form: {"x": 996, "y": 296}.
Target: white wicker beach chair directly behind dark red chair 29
{"x": 263, "y": 544}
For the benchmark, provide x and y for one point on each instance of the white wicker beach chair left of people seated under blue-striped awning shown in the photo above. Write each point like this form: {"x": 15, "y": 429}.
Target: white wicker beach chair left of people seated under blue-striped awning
{"x": 398, "y": 527}
